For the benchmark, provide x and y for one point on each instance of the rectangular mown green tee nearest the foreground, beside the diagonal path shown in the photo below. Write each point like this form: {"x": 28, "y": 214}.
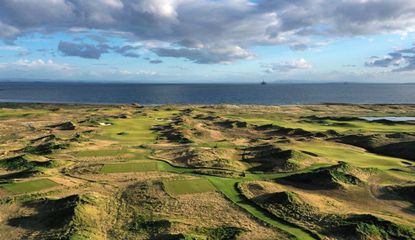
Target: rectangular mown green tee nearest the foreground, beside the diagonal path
{"x": 188, "y": 186}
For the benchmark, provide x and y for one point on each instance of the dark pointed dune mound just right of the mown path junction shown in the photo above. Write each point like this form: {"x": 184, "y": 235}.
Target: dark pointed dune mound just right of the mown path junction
{"x": 333, "y": 177}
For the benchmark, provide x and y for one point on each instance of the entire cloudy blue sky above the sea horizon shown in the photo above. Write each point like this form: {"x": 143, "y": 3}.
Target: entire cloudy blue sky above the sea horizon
{"x": 208, "y": 40}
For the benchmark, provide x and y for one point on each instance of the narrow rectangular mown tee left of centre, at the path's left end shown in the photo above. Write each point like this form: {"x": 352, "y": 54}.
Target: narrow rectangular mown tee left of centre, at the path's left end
{"x": 130, "y": 167}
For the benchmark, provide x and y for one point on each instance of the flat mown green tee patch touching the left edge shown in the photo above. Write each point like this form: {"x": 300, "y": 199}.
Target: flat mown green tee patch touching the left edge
{"x": 29, "y": 186}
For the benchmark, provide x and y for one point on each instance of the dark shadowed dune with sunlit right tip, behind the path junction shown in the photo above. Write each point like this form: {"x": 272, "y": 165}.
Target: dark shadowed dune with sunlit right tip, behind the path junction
{"x": 269, "y": 158}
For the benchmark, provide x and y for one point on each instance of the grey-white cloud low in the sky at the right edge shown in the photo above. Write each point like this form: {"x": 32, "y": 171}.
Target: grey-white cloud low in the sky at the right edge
{"x": 402, "y": 60}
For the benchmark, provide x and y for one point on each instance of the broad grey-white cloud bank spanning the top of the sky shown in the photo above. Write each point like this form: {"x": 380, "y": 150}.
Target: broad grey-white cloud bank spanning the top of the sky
{"x": 198, "y": 26}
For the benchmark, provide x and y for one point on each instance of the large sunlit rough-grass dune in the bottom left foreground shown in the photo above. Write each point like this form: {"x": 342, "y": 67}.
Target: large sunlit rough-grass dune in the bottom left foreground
{"x": 74, "y": 217}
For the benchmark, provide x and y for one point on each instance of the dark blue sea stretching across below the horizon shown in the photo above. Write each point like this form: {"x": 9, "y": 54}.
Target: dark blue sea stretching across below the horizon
{"x": 278, "y": 94}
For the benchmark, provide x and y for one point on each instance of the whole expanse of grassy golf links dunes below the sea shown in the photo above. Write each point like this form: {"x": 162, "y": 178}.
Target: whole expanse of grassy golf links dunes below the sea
{"x": 206, "y": 172}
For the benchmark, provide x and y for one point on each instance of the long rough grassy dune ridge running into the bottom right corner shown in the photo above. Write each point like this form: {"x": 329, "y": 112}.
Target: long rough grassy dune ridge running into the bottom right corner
{"x": 290, "y": 207}
